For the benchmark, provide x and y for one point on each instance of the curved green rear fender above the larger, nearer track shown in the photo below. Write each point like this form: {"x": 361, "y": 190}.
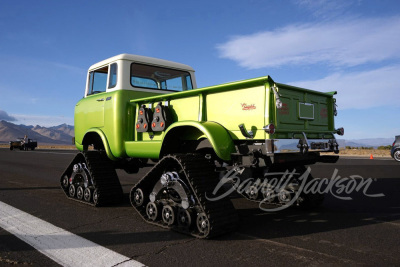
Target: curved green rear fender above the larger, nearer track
{"x": 216, "y": 134}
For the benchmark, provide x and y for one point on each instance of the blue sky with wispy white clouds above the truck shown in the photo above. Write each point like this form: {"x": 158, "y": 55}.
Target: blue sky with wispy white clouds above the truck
{"x": 349, "y": 46}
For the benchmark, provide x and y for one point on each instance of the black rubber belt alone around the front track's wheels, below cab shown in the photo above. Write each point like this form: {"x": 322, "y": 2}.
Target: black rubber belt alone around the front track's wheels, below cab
{"x": 104, "y": 177}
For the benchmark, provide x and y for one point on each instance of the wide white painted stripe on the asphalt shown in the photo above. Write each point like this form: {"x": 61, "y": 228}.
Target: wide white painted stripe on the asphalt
{"x": 61, "y": 246}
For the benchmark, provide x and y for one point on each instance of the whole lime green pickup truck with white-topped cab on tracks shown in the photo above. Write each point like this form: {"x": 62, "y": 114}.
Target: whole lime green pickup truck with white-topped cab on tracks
{"x": 137, "y": 108}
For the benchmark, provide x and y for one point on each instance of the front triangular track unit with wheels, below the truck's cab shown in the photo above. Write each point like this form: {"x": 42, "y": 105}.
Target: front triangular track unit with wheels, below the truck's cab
{"x": 91, "y": 179}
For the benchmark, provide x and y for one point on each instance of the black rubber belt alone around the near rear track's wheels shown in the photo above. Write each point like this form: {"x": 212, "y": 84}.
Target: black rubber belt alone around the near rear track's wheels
{"x": 202, "y": 180}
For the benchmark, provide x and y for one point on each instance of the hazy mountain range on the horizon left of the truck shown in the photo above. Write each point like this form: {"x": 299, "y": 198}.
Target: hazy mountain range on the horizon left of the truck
{"x": 61, "y": 134}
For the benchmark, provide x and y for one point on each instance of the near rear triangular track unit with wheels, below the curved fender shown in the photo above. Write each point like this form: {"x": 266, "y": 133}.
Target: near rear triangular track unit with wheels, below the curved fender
{"x": 173, "y": 195}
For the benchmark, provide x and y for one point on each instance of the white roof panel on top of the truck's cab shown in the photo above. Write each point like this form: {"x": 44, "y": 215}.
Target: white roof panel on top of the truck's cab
{"x": 142, "y": 59}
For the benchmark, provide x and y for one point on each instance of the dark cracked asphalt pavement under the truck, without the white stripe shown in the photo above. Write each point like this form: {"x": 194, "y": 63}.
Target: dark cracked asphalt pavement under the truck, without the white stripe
{"x": 361, "y": 231}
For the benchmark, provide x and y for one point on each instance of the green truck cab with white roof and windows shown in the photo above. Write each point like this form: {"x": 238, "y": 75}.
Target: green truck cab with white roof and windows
{"x": 104, "y": 117}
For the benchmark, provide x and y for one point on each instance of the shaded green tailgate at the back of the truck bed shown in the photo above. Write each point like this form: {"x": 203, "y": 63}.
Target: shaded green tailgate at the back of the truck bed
{"x": 302, "y": 111}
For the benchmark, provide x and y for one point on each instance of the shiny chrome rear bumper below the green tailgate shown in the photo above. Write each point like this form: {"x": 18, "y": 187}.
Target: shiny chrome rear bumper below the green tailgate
{"x": 304, "y": 145}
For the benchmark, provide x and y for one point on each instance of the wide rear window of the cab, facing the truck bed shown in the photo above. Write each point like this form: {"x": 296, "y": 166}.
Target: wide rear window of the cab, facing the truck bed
{"x": 153, "y": 77}
